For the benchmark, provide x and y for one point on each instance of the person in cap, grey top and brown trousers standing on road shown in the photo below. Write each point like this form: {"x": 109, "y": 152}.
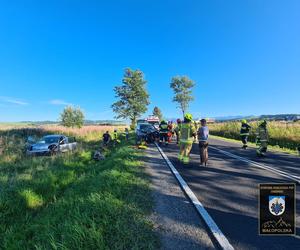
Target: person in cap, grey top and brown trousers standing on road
{"x": 203, "y": 133}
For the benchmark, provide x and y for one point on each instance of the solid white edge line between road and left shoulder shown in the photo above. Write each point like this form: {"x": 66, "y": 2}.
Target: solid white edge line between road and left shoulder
{"x": 217, "y": 233}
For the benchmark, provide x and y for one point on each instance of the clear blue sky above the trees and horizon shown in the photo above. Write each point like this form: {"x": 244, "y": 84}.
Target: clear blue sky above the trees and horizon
{"x": 243, "y": 55}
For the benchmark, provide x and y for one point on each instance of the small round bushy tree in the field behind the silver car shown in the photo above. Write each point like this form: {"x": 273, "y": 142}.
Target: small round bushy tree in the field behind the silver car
{"x": 72, "y": 117}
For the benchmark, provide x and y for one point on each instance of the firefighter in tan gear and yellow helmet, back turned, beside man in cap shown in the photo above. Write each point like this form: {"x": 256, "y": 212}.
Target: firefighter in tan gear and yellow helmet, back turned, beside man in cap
{"x": 187, "y": 133}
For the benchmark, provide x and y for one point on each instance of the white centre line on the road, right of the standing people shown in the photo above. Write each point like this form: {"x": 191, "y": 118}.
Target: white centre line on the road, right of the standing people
{"x": 259, "y": 165}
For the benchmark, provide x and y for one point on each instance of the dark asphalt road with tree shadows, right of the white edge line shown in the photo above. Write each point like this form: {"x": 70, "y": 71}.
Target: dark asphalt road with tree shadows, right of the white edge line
{"x": 228, "y": 189}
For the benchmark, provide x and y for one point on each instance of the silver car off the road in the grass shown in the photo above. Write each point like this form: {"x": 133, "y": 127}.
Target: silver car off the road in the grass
{"x": 50, "y": 145}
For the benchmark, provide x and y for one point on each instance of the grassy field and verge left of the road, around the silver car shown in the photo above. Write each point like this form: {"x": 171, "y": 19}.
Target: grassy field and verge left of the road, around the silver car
{"x": 71, "y": 201}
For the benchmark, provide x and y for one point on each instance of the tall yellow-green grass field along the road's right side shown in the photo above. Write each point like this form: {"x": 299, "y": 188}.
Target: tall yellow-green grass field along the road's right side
{"x": 282, "y": 135}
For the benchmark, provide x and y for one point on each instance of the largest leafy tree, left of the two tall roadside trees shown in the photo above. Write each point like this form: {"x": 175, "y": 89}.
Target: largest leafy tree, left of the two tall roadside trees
{"x": 133, "y": 96}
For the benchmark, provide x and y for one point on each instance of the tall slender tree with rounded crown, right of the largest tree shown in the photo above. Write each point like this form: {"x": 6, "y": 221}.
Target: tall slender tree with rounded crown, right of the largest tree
{"x": 182, "y": 87}
